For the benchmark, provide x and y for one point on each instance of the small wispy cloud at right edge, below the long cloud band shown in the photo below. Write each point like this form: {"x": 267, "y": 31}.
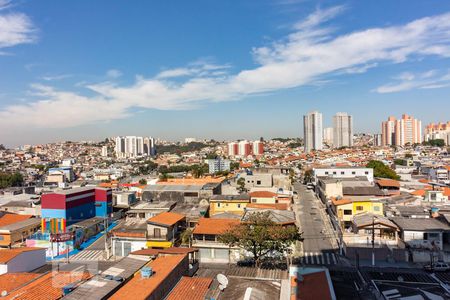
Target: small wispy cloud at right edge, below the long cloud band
{"x": 409, "y": 81}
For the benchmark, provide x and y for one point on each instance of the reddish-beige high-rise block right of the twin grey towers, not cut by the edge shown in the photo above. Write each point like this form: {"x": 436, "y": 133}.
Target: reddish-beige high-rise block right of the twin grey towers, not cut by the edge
{"x": 406, "y": 130}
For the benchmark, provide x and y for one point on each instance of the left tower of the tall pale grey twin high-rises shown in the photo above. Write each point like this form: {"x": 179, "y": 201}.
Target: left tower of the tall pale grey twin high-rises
{"x": 312, "y": 126}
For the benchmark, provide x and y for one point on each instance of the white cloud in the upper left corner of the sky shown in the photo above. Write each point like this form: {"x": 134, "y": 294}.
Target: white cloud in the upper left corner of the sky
{"x": 15, "y": 29}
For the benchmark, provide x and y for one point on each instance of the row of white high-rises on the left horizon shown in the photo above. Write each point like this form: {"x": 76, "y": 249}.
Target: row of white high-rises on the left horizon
{"x": 134, "y": 146}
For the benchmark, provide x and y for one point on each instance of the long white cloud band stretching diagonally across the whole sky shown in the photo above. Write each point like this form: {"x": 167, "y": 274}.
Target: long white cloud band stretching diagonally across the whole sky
{"x": 303, "y": 57}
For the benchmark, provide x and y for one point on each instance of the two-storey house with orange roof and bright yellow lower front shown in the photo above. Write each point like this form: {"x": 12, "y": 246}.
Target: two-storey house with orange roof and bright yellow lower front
{"x": 164, "y": 229}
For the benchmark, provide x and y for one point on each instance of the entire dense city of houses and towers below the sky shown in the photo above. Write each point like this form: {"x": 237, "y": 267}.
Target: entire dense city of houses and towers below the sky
{"x": 137, "y": 217}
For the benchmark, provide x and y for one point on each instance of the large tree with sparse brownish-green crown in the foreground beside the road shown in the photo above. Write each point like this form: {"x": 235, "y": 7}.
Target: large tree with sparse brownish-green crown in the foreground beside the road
{"x": 259, "y": 235}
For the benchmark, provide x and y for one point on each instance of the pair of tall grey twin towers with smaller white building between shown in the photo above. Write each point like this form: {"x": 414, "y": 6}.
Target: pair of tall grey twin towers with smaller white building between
{"x": 340, "y": 135}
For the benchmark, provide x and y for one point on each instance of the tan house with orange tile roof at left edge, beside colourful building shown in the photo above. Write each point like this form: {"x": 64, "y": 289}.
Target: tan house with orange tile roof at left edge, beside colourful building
{"x": 17, "y": 228}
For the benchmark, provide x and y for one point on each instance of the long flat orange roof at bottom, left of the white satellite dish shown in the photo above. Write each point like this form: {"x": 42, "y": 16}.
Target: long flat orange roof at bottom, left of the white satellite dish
{"x": 142, "y": 288}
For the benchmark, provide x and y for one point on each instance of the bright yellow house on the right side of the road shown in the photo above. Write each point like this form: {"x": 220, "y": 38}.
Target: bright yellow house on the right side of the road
{"x": 346, "y": 209}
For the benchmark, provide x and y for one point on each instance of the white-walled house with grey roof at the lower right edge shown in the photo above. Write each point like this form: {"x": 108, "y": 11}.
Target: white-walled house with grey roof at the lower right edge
{"x": 423, "y": 233}
